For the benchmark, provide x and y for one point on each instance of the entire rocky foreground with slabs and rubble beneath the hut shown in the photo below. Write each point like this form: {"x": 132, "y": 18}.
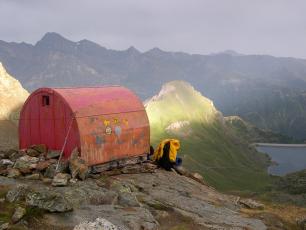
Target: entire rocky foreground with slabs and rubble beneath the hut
{"x": 132, "y": 197}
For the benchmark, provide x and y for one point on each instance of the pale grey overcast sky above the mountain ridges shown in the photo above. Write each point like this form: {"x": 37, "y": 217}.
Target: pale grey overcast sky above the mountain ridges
{"x": 276, "y": 27}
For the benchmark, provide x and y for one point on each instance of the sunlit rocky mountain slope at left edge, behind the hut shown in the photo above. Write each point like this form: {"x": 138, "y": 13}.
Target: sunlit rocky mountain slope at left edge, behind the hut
{"x": 12, "y": 96}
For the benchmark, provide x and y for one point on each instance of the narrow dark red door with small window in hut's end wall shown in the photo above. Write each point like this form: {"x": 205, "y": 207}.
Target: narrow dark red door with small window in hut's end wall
{"x": 46, "y": 119}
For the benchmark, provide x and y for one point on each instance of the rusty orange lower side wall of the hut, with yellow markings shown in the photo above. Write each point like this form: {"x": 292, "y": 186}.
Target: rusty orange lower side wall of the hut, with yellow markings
{"x": 110, "y": 137}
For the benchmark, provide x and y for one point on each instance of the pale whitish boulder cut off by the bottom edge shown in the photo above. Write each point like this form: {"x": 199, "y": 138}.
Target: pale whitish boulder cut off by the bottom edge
{"x": 98, "y": 224}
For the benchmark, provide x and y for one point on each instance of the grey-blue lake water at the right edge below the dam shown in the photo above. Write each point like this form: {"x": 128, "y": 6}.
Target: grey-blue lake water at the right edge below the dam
{"x": 289, "y": 159}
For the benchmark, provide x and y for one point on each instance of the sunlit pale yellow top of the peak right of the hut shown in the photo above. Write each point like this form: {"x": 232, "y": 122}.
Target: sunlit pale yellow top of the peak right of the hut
{"x": 179, "y": 101}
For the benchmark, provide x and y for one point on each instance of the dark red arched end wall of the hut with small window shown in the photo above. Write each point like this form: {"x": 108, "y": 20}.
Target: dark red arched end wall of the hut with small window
{"x": 47, "y": 124}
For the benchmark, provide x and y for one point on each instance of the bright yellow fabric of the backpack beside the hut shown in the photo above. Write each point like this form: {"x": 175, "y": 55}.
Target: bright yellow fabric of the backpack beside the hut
{"x": 174, "y": 147}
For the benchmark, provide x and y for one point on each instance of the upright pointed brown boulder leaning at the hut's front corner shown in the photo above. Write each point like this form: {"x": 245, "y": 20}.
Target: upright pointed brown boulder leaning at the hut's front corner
{"x": 78, "y": 166}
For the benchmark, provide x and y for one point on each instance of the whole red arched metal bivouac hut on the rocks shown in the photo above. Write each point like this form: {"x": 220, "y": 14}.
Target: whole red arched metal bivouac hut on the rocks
{"x": 104, "y": 123}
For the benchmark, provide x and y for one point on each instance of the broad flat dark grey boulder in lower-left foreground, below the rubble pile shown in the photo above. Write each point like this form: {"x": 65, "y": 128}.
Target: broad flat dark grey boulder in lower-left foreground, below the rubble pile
{"x": 48, "y": 200}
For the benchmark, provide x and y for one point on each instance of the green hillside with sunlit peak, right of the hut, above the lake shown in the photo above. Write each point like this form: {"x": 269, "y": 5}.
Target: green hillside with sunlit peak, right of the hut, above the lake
{"x": 211, "y": 148}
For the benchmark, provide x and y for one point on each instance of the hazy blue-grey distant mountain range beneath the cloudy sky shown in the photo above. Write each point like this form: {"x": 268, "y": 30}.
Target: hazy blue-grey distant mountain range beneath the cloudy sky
{"x": 267, "y": 91}
